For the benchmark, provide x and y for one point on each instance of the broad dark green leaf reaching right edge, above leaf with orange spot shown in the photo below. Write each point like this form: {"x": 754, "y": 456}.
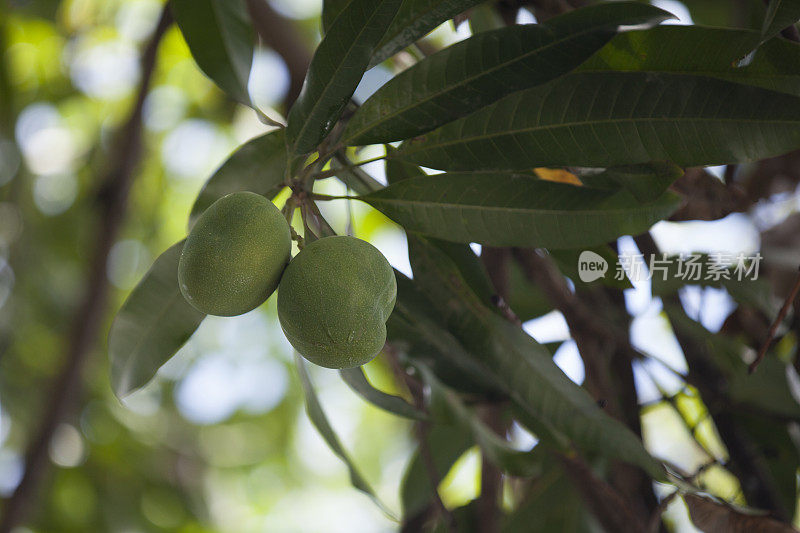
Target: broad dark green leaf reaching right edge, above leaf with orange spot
{"x": 608, "y": 119}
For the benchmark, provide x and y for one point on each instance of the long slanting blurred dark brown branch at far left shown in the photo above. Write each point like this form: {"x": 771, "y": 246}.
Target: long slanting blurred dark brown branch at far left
{"x": 112, "y": 199}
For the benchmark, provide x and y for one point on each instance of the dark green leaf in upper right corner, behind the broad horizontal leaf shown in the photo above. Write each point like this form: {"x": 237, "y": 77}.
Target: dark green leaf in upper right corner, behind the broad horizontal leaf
{"x": 775, "y": 65}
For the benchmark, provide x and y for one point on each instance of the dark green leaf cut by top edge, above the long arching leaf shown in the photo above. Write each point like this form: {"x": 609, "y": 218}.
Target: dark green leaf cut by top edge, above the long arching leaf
{"x": 414, "y": 20}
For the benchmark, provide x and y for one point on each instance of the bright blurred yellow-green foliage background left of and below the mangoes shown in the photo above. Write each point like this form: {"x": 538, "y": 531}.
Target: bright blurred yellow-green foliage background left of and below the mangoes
{"x": 190, "y": 453}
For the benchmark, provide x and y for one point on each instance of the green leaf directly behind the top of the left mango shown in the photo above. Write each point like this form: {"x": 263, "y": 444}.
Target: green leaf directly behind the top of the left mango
{"x": 258, "y": 166}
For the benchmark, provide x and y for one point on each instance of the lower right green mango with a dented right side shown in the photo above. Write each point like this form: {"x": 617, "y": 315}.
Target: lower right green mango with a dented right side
{"x": 334, "y": 299}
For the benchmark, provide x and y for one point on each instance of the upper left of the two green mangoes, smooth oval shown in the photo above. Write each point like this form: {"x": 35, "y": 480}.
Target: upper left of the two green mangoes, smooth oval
{"x": 234, "y": 256}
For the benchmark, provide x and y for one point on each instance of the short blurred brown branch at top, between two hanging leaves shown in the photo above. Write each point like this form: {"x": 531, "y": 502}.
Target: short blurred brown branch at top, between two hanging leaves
{"x": 279, "y": 34}
